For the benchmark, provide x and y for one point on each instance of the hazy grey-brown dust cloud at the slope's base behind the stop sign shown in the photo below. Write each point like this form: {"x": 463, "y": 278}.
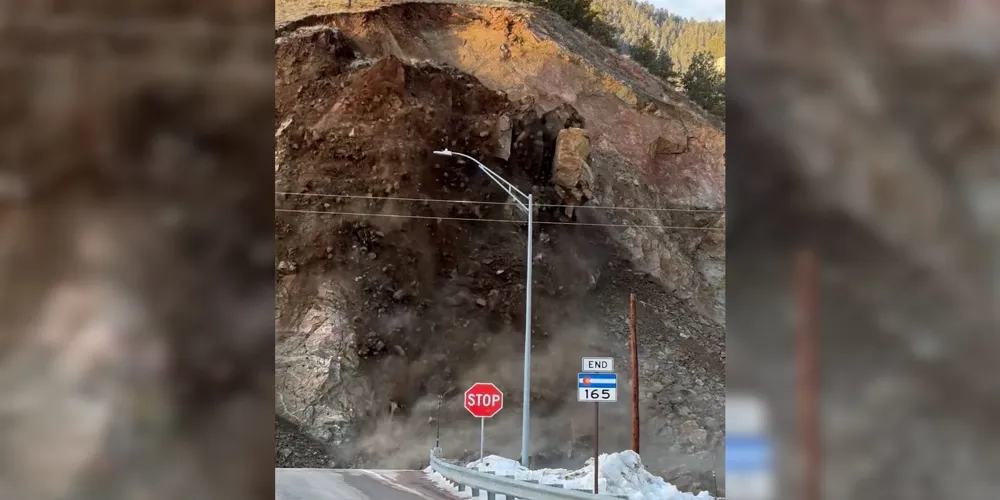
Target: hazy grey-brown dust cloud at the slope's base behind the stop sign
{"x": 562, "y": 428}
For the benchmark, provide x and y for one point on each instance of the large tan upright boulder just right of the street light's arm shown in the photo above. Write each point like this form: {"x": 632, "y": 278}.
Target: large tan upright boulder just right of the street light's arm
{"x": 571, "y": 174}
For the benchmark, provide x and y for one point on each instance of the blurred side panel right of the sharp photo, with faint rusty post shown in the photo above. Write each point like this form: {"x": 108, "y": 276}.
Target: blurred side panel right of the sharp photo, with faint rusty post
{"x": 864, "y": 216}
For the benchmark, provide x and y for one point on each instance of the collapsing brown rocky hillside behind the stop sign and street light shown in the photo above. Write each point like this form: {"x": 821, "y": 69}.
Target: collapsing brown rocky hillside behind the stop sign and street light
{"x": 393, "y": 289}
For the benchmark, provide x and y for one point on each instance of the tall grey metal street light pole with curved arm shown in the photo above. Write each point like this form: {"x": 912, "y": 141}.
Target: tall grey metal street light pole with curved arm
{"x": 525, "y": 202}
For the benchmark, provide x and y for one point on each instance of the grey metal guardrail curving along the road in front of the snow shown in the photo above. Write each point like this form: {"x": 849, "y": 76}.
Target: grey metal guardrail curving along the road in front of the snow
{"x": 507, "y": 486}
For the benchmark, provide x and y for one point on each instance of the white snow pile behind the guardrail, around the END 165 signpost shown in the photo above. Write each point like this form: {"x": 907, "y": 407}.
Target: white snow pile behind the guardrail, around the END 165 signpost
{"x": 620, "y": 474}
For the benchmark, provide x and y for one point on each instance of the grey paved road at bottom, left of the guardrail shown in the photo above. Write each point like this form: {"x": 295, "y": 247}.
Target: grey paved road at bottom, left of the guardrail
{"x": 355, "y": 484}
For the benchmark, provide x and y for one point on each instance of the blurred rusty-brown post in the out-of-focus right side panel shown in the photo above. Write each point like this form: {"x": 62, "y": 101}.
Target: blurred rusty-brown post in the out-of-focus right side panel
{"x": 806, "y": 275}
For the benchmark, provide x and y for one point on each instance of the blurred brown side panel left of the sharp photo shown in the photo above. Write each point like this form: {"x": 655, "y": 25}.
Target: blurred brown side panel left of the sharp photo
{"x": 136, "y": 250}
